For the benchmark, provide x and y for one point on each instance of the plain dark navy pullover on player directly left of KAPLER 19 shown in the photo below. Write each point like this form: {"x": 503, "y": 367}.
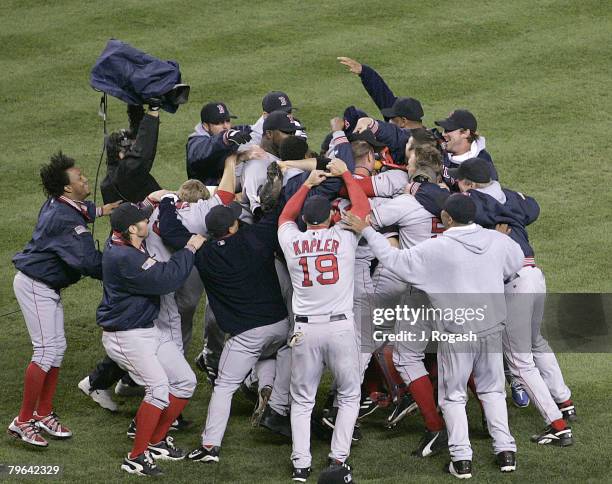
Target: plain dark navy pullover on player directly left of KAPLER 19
{"x": 238, "y": 271}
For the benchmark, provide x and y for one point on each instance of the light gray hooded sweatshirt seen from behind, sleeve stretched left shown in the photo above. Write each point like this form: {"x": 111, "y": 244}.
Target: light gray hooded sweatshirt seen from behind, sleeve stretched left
{"x": 462, "y": 271}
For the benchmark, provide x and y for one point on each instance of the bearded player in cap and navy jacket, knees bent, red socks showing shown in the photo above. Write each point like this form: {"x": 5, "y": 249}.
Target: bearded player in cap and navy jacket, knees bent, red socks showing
{"x": 133, "y": 284}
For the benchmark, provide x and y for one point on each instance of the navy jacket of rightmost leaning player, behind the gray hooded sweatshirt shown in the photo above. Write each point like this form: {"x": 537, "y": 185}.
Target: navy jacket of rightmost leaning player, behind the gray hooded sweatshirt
{"x": 517, "y": 211}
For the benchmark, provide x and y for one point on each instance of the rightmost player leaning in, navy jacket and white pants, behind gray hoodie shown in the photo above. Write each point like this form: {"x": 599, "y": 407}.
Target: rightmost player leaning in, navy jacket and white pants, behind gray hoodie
{"x": 528, "y": 355}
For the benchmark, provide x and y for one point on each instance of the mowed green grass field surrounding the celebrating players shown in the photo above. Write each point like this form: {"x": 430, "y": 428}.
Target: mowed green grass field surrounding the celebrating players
{"x": 536, "y": 74}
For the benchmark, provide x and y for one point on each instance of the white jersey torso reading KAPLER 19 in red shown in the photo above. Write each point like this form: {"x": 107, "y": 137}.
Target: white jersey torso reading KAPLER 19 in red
{"x": 321, "y": 264}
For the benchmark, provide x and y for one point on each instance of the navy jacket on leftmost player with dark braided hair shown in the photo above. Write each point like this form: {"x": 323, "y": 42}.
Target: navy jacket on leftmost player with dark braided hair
{"x": 61, "y": 249}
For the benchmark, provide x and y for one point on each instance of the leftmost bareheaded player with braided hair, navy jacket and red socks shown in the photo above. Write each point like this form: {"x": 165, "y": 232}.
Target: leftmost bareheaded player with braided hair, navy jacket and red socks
{"x": 60, "y": 252}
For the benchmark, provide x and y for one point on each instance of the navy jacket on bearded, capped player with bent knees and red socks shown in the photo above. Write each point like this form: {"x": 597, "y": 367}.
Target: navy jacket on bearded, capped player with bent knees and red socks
{"x": 133, "y": 282}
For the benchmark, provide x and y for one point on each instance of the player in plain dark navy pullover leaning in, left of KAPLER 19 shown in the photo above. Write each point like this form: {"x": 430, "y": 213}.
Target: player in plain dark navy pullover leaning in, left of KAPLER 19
{"x": 254, "y": 315}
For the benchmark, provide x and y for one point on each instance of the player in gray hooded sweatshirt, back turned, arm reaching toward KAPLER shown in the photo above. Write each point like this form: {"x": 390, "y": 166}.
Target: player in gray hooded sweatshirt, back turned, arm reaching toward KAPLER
{"x": 463, "y": 268}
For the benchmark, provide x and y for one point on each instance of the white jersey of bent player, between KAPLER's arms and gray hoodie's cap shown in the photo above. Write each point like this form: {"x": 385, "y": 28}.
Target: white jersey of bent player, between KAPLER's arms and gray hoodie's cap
{"x": 415, "y": 223}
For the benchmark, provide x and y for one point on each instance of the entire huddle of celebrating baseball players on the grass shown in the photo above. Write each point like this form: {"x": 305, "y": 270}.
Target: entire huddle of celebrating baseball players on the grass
{"x": 296, "y": 251}
